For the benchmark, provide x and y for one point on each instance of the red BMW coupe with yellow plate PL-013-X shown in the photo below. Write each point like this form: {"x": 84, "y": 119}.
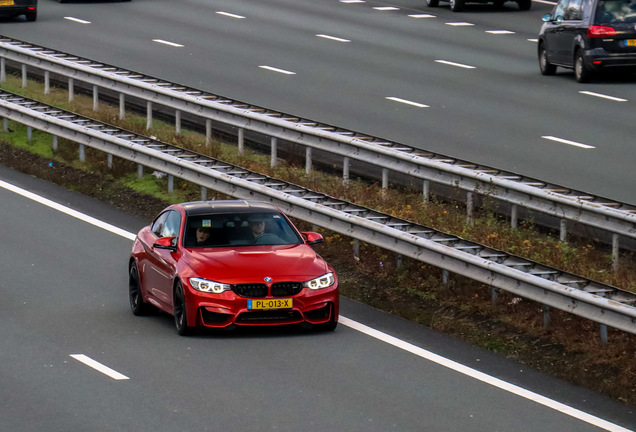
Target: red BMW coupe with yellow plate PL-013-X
{"x": 222, "y": 264}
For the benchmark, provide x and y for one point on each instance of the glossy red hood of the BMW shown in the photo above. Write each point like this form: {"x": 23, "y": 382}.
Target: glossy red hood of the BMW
{"x": 253, "y": 264}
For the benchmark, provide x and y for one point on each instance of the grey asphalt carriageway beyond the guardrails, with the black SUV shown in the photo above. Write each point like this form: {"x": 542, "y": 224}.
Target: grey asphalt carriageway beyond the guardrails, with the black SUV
{"x": 498, "y": 112}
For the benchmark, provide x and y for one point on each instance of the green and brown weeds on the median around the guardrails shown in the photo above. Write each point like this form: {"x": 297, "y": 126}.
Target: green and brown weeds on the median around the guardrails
{"x": 570, "y": 348}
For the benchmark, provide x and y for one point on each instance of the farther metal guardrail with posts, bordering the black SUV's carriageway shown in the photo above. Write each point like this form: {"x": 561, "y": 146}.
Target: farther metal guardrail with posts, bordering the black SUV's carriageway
{"x": 517, "y": 190}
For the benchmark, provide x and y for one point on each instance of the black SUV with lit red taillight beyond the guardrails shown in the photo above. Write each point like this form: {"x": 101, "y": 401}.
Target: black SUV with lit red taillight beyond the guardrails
{"x": 588, "y": 36}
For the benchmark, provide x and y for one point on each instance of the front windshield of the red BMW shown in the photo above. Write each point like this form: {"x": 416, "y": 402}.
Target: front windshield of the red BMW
{"x": 239, "y": 229}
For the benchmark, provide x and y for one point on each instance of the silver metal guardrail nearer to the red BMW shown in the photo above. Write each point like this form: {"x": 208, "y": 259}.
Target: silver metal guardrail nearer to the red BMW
{"x": 601, "y": 303}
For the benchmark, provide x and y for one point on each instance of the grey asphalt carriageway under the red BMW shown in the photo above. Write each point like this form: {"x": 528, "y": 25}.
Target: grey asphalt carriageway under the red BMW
{"x": 64, "y": 293}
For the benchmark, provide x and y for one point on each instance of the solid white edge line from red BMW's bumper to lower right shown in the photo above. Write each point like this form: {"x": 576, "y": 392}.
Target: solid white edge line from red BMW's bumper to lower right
{"x": 473, "y": 373}
